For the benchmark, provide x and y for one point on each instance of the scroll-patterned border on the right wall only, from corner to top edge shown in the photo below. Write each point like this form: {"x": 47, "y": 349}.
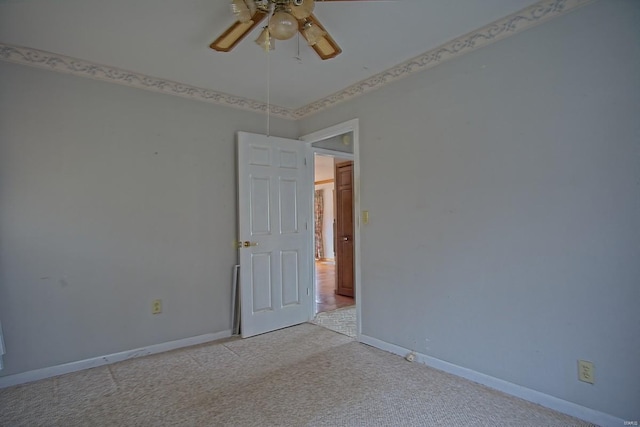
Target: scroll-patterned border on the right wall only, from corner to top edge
{"x": 498, "y": 30}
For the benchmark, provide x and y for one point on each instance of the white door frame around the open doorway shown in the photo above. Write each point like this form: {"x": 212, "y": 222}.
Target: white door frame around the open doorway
{"x": 322, "y": 134}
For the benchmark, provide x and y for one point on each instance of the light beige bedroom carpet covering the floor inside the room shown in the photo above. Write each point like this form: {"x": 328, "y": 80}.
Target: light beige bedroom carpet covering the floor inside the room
{"x": 300, "y": 376}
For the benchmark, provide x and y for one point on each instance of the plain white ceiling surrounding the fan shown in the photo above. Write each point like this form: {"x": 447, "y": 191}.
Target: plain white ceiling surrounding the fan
{"x": 169, "y": 39}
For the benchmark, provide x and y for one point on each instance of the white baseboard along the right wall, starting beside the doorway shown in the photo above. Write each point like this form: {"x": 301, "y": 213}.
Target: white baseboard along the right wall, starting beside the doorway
{"x": 548, "y": 401}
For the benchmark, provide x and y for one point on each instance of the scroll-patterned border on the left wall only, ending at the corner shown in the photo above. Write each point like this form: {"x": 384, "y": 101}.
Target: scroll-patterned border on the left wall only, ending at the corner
{"x": 79, "y": 67}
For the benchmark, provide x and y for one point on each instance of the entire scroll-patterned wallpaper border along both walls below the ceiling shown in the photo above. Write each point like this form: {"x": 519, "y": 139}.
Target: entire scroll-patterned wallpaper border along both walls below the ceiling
{"x": 498, "y": 30}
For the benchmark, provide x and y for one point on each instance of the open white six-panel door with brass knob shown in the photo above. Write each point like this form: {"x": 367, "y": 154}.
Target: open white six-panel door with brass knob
{"x": 273, "y": 220}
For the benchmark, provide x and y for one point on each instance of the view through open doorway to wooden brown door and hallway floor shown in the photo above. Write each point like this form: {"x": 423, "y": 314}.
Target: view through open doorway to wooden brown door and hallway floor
{"x": 333, "y": 233}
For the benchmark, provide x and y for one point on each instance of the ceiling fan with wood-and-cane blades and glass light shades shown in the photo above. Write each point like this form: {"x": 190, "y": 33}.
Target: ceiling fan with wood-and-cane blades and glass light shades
{"x": 286, "y": 19}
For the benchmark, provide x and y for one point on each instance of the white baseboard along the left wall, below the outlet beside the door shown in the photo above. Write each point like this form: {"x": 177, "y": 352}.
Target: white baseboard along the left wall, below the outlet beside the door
{"x": 52, "y": 371}
